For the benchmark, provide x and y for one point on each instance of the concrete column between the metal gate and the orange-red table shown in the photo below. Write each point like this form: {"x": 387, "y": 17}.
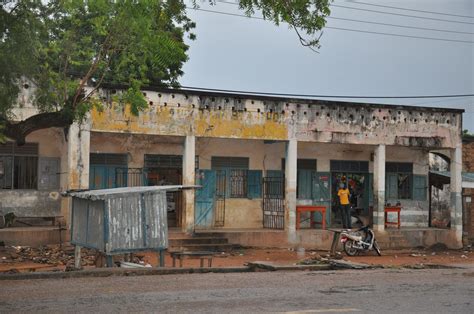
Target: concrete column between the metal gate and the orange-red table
{"x": 290, "y": 189}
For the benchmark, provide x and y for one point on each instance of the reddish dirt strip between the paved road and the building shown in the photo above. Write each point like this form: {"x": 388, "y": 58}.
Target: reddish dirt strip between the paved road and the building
{"x": 277, "y": 256}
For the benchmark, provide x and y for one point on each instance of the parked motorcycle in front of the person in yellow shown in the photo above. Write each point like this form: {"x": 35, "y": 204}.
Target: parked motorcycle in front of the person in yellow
{"x": 361, "y": 240}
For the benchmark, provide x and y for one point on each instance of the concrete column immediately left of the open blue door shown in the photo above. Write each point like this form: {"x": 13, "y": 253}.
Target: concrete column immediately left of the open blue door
{"x": 189, "y": 163}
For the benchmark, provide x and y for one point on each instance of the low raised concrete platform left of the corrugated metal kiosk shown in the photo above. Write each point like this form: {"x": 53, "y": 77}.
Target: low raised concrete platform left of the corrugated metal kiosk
{"x": 33, "y": 236}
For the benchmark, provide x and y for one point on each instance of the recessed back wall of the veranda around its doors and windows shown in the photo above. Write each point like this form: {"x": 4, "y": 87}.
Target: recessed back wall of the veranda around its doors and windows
{"x": 263, "y": 156}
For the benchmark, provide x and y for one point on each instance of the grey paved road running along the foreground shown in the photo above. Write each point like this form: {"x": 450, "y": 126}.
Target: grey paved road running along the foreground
{"x": 380, "y": 291}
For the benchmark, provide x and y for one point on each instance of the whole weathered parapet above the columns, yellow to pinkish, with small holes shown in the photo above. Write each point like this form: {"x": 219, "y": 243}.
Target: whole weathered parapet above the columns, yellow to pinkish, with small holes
{"x": 307, "y": 120}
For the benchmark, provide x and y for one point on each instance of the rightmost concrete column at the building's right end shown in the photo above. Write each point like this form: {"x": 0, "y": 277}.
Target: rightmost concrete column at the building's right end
{"x": 456, "y": 194}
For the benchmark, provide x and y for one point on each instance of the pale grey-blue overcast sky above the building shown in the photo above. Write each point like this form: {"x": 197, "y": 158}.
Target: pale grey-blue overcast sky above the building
{"x": 239, "y": 53}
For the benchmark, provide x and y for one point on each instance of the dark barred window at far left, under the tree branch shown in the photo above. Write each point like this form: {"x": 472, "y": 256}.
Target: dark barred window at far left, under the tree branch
{"x": 18, "y": 166}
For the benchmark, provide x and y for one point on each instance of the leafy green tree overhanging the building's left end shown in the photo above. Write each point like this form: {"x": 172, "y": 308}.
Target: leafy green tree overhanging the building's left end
{"x": 60, "y": 47}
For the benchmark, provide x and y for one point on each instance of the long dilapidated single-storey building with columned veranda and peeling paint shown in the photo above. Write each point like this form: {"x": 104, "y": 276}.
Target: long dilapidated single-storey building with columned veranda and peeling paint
{"x": 257, "y": 158}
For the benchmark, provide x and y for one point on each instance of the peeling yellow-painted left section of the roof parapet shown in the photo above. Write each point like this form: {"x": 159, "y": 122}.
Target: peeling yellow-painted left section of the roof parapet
{"x": 172, "y": 121}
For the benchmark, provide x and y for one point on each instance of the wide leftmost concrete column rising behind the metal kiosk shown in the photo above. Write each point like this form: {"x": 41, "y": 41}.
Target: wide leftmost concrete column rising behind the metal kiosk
{"x": 78, "y": 150}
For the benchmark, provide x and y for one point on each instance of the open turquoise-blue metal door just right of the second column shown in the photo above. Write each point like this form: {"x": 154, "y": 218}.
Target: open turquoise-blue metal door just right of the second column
{"x": 205, "y": 199}
